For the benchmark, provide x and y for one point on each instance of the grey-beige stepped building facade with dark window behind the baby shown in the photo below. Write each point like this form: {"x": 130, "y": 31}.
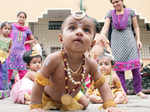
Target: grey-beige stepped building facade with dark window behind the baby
{"x": 48, "y": 26}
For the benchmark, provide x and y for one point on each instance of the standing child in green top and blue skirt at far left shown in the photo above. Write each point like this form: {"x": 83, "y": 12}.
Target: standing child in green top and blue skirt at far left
{"x": 5, "y": 44}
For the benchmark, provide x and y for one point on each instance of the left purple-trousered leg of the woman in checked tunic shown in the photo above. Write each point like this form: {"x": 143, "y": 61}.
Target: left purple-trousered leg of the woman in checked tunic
{"x": 121, "y": 76}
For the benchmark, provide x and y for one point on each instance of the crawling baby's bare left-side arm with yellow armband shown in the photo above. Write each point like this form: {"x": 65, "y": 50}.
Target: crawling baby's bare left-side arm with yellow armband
{"x": 41, "y": 80}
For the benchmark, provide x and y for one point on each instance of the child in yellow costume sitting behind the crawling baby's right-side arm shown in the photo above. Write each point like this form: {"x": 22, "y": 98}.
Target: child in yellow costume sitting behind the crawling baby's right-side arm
{"x": 105, "y": 66}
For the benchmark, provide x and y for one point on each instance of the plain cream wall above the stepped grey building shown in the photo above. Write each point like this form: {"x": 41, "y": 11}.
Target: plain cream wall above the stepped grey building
{"x": 36, "y": 8}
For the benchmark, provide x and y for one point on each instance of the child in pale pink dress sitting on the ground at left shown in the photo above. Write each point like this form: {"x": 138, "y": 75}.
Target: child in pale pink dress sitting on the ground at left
{"x": 21, "y": 90}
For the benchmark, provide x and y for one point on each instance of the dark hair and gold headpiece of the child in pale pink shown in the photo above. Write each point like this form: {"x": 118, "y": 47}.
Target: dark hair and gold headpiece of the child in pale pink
{"x": 29, "y": 55}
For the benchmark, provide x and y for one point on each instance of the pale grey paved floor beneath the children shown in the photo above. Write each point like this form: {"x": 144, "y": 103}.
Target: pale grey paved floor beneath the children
{"x": 135, "y": 104}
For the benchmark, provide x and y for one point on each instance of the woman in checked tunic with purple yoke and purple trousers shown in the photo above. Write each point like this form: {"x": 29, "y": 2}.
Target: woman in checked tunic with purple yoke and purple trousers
{"x": 125, "y": 47}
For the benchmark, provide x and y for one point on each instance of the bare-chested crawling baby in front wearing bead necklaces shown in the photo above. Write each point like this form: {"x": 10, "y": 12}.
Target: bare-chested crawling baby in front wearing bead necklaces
{"x": 63, "y": 72}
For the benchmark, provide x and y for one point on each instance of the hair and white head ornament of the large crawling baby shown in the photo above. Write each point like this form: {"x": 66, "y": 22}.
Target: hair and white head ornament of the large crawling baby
{"x": 83, "y": 15}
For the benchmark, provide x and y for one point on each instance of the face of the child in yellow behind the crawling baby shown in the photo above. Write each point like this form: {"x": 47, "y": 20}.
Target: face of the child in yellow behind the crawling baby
{"x": 105, "y": 65}
